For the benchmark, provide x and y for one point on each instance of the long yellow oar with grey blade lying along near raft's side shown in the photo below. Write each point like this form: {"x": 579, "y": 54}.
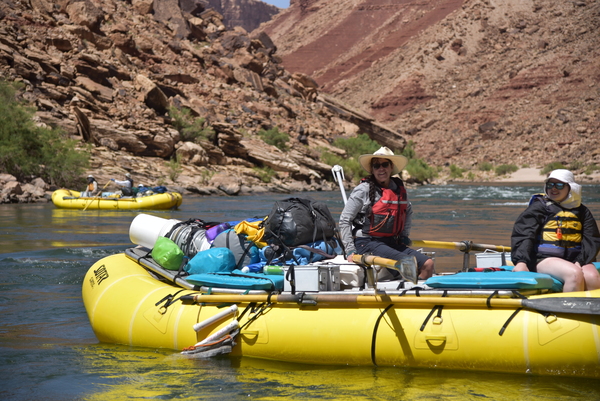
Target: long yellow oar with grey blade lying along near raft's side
{"x": 567, "y": 305}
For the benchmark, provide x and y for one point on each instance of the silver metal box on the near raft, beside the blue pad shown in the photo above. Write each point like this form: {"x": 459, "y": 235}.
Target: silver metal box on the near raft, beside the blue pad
{"x": 313, "y": 278}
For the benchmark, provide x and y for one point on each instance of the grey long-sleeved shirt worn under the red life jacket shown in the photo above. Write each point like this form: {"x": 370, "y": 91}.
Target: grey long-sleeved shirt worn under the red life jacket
{"x": 359, "y": 202}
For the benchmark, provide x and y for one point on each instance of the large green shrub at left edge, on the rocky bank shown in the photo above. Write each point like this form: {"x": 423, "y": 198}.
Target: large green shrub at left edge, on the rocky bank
{"x": 27, "y": 150}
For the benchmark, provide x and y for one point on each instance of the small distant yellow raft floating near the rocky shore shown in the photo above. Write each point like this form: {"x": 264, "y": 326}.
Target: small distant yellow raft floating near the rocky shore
{"x": 68, "y": 199}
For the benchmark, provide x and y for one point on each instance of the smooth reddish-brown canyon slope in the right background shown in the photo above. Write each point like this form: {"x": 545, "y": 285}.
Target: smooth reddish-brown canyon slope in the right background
{"x": 473, "y": 81}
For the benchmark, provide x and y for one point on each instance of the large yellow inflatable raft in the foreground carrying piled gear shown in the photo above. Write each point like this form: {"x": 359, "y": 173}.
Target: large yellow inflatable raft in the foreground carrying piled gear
{"x": 547, "y": 333}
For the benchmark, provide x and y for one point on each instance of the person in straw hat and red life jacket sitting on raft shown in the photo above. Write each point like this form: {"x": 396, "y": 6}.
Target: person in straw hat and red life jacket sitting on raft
{"x": 377, "y": 217}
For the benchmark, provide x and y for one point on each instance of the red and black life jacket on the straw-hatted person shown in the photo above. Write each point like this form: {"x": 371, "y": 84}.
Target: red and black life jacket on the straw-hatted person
{"x": 388, "y": 214}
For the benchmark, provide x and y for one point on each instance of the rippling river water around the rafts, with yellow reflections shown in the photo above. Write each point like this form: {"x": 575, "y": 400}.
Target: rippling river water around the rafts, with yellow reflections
{"x": 48, "y": 350}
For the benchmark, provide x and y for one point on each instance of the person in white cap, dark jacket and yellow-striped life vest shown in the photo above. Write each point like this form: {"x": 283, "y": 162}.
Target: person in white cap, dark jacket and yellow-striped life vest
{"x": 558, "y": 235}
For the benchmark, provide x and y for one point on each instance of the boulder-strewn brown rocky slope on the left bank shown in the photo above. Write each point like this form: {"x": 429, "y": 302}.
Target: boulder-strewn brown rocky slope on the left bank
{"x": 107, "y": 72}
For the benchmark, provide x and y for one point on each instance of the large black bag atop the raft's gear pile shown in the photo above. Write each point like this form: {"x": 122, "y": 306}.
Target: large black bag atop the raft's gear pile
{"x": 297, "y": 221}
